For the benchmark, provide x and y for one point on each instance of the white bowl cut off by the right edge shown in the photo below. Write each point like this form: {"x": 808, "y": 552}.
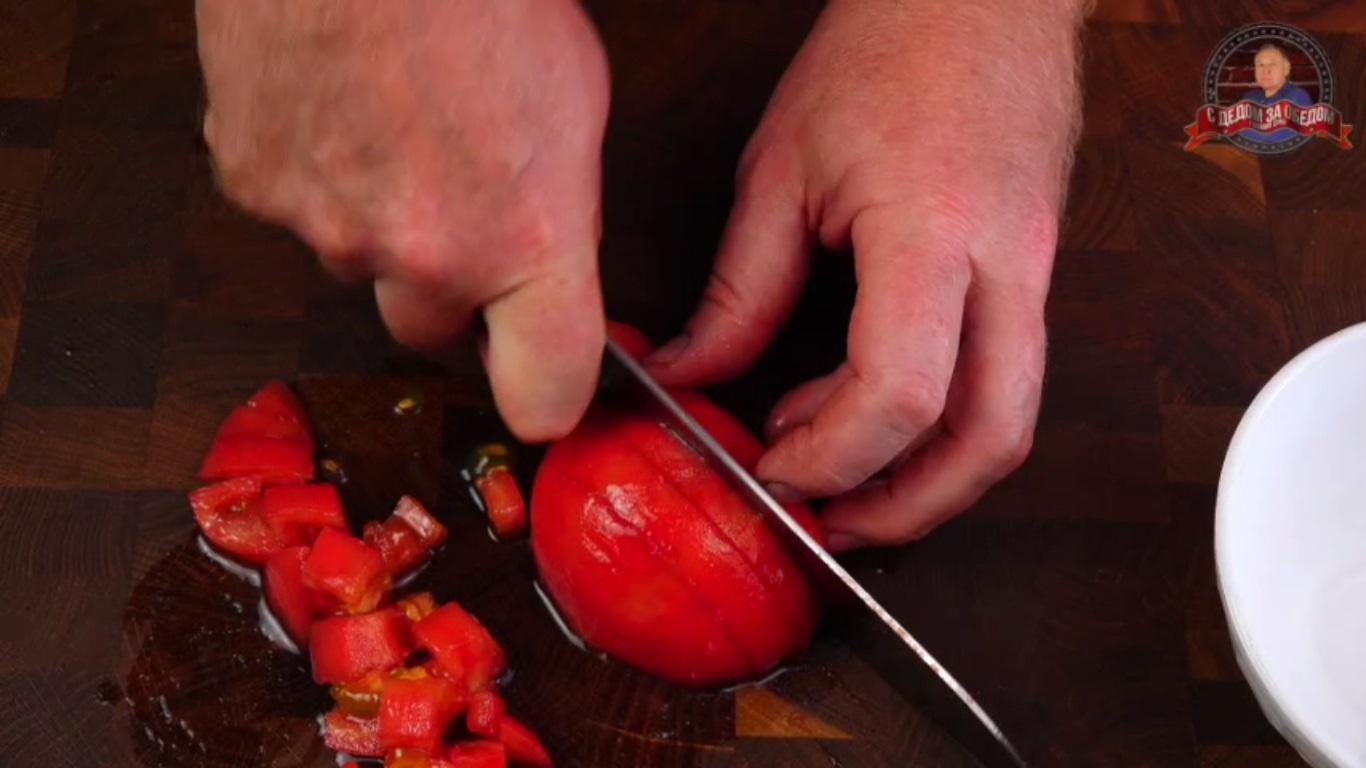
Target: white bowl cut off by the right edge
{"x": 1290, "y": 546}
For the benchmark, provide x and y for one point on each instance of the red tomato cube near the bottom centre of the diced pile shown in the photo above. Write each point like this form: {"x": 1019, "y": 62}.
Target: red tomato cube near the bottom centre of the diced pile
{"x": 416, "y": 711}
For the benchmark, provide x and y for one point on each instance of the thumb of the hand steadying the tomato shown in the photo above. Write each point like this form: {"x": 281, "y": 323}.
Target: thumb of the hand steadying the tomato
{"x": 759, "y": 275}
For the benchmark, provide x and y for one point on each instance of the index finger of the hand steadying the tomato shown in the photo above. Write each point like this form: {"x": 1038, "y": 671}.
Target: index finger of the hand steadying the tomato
{"x": 902, "y": 348}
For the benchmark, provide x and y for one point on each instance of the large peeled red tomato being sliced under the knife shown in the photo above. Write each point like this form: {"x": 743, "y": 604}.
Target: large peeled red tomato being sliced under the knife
{"x": 655, "y": 560}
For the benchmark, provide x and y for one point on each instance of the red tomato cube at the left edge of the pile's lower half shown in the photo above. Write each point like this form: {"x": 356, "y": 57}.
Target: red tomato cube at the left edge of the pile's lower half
{"x": 348, "y": 648}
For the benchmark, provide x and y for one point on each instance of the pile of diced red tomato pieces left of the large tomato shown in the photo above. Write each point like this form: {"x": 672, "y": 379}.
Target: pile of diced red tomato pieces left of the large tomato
{"x": 331, "y": 592}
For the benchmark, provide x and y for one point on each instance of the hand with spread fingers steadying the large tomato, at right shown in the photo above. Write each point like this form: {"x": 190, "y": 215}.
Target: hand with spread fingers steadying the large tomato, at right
{"x": 934, "y": 140}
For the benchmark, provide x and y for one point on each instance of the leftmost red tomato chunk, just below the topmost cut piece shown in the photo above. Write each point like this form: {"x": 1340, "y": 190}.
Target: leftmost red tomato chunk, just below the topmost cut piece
{"x": 230, "y": 516}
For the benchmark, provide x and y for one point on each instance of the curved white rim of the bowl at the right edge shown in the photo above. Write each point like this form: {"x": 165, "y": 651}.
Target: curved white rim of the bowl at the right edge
{"x": 1316, "y": 747}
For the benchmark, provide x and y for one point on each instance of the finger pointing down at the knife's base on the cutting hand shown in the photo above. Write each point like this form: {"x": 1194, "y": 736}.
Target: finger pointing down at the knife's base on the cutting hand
{"x": 546, "y": 349}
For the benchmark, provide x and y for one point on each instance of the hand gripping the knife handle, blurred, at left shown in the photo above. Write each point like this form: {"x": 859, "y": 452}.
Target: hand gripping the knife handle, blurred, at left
{"x": 450, "y": 150}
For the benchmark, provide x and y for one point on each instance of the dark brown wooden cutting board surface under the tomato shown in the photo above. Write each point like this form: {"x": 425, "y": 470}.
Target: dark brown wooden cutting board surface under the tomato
{"x": 1077, "y": 601}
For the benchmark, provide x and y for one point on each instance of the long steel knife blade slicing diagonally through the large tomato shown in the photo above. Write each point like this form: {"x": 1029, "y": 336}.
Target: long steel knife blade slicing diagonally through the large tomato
{"x": 875, "y": 635}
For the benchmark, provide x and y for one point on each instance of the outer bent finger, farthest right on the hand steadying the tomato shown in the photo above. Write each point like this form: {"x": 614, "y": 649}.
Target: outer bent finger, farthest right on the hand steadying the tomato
{"x": 991, "y": 426}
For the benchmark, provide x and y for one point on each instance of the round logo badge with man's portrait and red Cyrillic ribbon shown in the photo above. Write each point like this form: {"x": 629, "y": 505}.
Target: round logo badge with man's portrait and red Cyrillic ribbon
{"x": 1270, "y": 90}
